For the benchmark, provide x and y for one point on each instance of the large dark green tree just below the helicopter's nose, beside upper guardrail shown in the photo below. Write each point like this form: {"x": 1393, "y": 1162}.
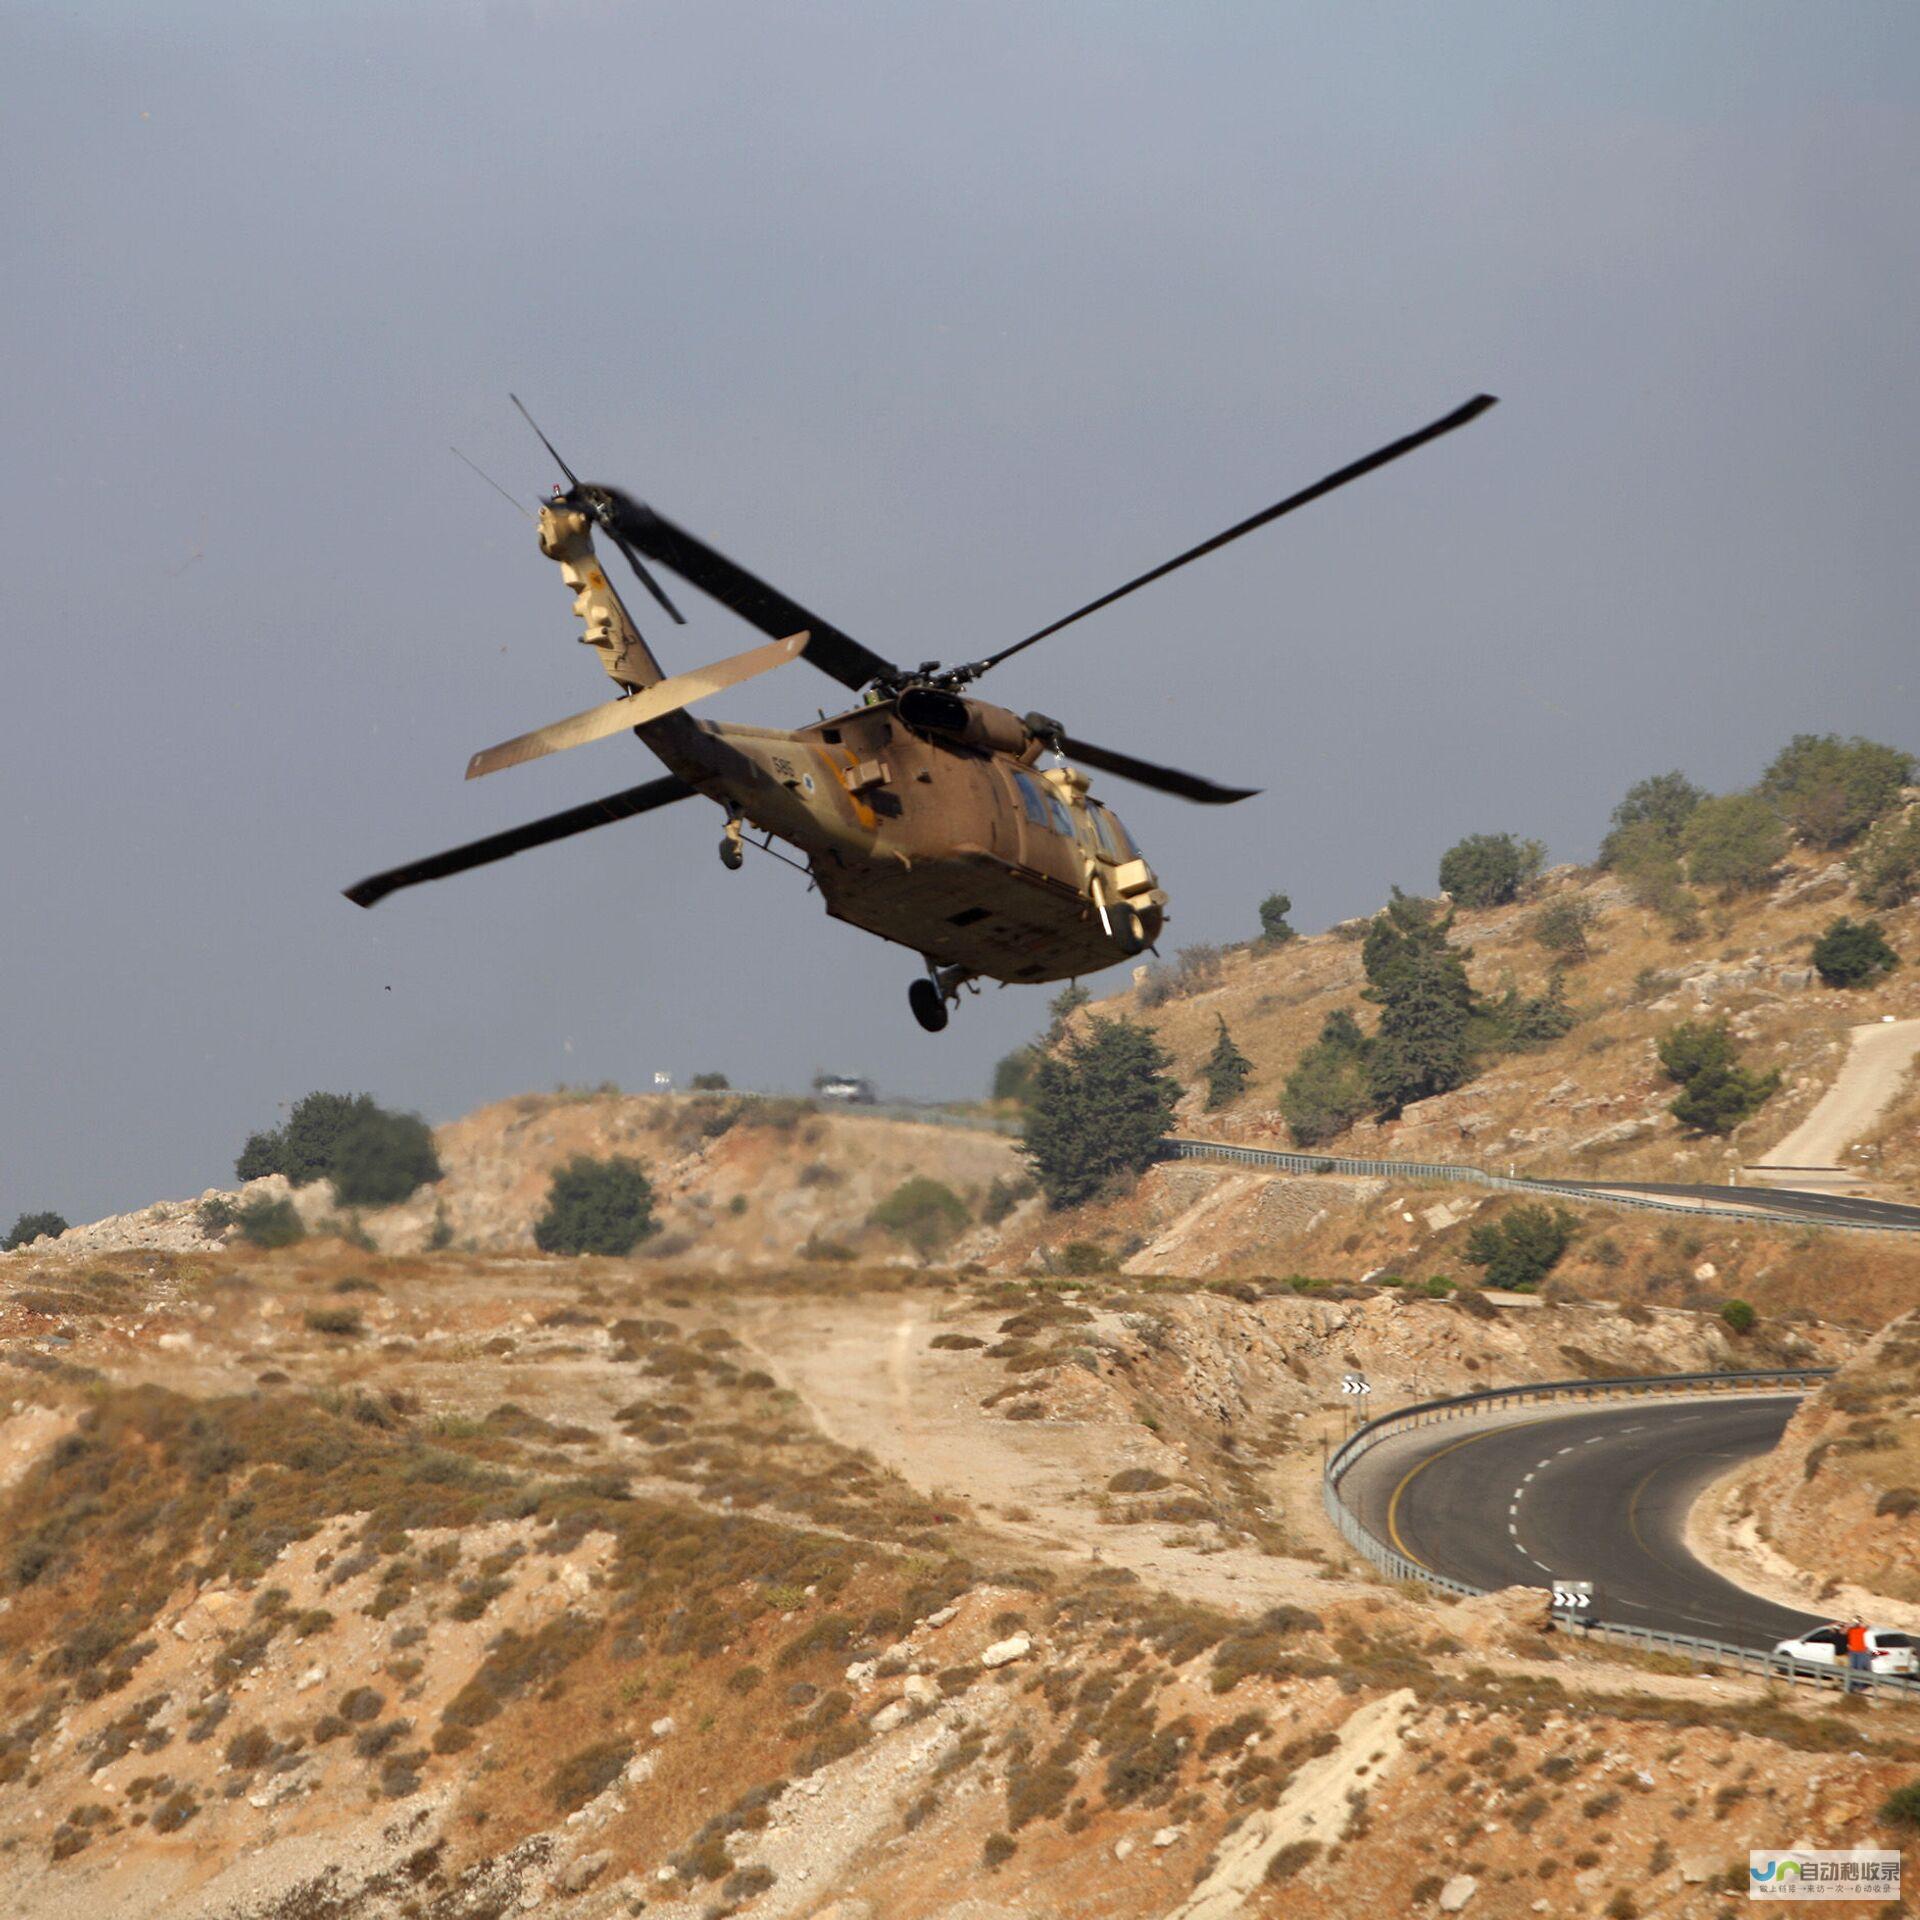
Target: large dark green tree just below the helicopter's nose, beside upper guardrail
{"x": 1101, "y": 1107}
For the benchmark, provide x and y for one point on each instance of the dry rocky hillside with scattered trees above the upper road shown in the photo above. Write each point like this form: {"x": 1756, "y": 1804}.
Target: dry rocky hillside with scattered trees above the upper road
{"x": 1595, "y": 1101}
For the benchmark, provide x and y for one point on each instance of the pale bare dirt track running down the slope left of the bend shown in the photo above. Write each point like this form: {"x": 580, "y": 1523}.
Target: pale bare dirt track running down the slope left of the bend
{"x": 869, "y": 1380}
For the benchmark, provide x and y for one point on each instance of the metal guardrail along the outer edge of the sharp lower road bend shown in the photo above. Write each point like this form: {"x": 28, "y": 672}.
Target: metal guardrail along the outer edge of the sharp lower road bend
{"x": 1716, "y": 1654}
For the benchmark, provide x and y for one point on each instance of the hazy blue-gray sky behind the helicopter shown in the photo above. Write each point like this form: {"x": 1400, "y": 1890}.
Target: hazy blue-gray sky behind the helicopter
{"x": 946, "y": 320}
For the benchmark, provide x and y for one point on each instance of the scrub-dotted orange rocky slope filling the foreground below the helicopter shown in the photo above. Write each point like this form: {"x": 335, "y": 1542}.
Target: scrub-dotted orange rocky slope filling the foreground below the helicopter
{"x": 345, "y": 1585}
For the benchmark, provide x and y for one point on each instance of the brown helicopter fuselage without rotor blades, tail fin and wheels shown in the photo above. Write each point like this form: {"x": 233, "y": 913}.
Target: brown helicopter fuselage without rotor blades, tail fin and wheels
{"x": 971, "y": 855}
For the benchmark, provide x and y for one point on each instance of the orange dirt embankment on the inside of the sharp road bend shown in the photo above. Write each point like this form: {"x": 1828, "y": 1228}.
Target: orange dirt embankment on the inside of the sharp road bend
{"x": 1833, "y": 1516}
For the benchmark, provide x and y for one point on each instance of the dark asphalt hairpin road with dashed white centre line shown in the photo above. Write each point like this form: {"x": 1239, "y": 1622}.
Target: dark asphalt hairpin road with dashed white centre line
{"x": 1595, "y": 1495}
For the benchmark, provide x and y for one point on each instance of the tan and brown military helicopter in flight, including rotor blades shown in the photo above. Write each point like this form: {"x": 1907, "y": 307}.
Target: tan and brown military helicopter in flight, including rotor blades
{"x": 923, "y": 813}
